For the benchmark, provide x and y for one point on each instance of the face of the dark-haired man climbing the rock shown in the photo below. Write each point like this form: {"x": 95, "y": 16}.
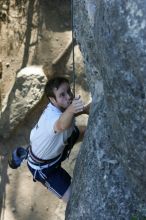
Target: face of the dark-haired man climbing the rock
{"x": 63, "y": 96}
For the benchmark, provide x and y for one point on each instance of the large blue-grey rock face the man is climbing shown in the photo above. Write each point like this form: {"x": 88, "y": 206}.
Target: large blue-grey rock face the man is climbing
{"x": 110, "y": 173}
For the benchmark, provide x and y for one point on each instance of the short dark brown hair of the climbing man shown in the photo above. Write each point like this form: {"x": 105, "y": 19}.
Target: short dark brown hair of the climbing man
{"x": 52, "y": 84}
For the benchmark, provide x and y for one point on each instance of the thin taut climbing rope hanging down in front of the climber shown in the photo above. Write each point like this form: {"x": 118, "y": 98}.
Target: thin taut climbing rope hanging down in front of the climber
{"x": 73, "y": 42}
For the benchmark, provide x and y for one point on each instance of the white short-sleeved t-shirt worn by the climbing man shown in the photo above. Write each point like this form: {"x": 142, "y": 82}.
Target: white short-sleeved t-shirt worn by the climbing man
{"x": 46, "y": 144}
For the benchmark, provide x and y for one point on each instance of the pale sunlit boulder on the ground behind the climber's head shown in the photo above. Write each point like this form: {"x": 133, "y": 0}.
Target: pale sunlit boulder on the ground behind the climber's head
{"x": 25, "y": 94}
